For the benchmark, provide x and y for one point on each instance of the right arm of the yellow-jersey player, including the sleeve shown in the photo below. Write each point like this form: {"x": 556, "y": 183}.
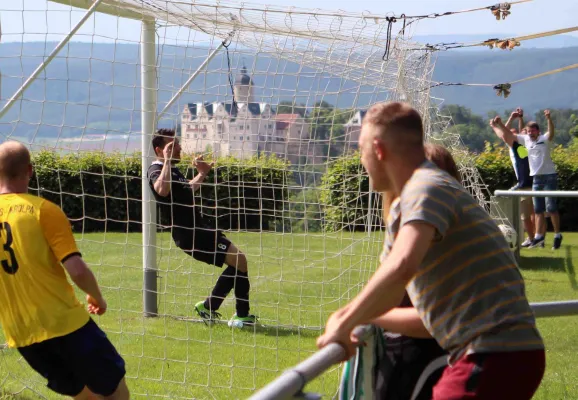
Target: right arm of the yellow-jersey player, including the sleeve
{"x": 58, "y": 234}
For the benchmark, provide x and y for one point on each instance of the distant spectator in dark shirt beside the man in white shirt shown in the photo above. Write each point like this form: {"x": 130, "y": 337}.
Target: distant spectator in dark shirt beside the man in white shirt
{"x": 519, "y": 158}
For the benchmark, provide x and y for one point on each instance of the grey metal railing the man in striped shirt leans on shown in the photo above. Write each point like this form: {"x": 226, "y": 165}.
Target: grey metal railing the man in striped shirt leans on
{"x": 291, "y": 383}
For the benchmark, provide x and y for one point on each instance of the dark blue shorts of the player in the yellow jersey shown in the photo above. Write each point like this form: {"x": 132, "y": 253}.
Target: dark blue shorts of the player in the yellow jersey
{"x": 82, "y": 358}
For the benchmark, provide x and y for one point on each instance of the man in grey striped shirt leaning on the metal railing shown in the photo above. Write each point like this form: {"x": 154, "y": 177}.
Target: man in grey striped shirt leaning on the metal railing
{"x": 455, "y": 263}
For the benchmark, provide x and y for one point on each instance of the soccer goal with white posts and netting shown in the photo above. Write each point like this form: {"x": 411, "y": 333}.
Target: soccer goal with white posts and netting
{"x": 276, "y": 97}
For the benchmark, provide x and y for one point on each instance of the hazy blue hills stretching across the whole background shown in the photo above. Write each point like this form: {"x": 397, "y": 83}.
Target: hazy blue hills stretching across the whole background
{"x": 88, "y": 89}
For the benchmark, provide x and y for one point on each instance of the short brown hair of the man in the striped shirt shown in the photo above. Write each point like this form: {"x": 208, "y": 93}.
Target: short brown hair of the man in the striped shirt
{"x": 399, "y": 120}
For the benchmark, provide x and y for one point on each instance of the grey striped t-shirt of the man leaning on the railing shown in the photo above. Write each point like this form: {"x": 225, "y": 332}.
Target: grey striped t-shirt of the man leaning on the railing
{"x": 468, "y": 290}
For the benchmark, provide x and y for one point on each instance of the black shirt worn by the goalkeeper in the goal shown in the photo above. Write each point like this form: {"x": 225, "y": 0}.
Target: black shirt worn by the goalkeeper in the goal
{"x": 178, "y": 207}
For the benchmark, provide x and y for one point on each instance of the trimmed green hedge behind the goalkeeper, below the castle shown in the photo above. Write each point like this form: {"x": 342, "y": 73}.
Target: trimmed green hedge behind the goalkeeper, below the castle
{"x": 99, "y": 191}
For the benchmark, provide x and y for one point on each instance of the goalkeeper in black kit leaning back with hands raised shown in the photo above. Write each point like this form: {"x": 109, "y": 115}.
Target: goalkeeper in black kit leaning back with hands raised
{"x": 174, "y": 194}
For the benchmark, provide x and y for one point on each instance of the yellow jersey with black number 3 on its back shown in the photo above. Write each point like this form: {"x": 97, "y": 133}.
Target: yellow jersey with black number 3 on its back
{"x": 38, "y": 302}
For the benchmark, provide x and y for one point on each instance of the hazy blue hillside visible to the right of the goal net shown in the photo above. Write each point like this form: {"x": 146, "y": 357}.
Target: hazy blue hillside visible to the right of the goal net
{"x": 501, "y": 66}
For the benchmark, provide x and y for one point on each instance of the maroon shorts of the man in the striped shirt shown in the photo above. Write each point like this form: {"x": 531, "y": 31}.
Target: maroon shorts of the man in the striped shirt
{"x": 495, "y": 376}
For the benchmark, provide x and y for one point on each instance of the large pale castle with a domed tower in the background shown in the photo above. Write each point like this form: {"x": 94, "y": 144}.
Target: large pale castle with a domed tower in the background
{"x": 247, "y": 129}
